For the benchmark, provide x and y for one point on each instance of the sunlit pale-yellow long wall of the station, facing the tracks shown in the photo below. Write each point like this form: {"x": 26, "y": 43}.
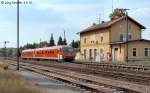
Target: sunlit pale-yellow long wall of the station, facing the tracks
{"x": 95, "y": 40}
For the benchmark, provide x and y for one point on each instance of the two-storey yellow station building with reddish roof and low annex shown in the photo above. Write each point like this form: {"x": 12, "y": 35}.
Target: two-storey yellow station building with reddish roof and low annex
{"x": 118, "y": 40}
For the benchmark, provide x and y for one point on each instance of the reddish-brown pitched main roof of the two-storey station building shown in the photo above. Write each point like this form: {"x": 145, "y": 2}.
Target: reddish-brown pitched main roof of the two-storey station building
{"x": 109, "y": 24}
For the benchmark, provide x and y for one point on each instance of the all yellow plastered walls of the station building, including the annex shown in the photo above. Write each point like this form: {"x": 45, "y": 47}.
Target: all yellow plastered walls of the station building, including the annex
{"x": 90, "y": 41}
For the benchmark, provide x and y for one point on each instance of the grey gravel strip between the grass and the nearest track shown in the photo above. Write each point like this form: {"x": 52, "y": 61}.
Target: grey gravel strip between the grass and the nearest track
{"x": 47, "y": 84}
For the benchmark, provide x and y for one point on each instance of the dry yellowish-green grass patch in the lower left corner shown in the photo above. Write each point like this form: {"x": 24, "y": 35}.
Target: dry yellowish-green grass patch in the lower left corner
{"x": 11, "y": 83}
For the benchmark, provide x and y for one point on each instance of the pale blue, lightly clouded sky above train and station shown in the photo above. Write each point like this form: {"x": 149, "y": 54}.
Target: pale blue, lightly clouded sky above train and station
{"x": 40, "y": 18}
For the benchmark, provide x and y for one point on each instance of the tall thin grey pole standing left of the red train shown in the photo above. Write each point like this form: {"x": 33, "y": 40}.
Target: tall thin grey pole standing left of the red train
{"x": 18, "y": 35}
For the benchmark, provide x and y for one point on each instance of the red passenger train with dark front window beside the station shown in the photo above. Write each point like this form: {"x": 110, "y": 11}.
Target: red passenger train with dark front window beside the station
{"x": 58, "y": 53}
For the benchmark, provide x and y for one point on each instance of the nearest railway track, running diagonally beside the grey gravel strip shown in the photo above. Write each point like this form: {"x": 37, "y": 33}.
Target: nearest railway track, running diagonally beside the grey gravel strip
{"x": 71, "y": 77}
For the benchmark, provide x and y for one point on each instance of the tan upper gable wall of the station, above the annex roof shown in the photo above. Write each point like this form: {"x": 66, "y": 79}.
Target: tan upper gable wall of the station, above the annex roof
{"x": 121, "y": 28}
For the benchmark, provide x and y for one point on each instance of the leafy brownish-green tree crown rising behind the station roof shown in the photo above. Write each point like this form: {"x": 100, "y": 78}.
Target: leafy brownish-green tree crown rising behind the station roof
{"x": 117, "y": 13}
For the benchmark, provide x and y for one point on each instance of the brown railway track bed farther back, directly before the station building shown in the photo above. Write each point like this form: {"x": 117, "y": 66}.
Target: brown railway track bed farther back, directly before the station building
{"x": 132, "y": 73}
